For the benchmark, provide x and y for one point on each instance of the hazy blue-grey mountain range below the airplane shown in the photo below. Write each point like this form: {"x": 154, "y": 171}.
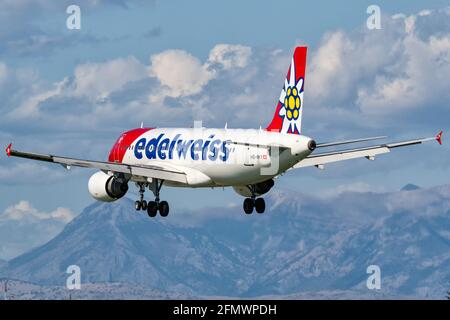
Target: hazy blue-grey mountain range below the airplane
{"x": 302, "y": 245}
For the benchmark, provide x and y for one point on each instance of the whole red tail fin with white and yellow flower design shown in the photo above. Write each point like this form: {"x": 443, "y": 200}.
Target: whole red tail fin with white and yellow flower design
{"x": 288, "y": 113}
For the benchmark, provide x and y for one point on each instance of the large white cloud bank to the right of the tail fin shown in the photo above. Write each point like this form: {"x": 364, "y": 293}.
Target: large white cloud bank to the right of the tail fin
{"x": 404, "y": 66}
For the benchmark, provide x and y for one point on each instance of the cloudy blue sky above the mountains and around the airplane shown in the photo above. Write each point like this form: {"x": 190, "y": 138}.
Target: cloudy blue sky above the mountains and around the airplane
{"x": 73, "y": 92}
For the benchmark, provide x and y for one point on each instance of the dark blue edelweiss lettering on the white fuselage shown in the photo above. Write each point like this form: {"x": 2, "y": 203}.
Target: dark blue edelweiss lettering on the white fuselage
{"x": 167, "y": 148}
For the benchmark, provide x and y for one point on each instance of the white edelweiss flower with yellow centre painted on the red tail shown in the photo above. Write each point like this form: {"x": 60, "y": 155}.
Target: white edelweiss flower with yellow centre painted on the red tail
{"x": 291, "y": 99}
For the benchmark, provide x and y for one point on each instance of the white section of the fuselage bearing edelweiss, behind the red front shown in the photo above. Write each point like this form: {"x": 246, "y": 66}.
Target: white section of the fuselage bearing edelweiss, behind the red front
{"x": 218, "y": 157}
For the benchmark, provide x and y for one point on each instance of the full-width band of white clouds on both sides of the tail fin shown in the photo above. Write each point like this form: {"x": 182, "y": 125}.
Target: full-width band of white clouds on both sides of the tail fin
{"x": 354, "y": 80}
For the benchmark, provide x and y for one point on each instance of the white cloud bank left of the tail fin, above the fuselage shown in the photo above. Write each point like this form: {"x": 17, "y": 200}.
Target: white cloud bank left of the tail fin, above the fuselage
{"x": 122, "y": 92}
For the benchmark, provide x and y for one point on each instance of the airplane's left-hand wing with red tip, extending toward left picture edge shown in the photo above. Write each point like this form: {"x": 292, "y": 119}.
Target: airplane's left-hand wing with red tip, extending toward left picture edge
{"x": 147, "y": 171}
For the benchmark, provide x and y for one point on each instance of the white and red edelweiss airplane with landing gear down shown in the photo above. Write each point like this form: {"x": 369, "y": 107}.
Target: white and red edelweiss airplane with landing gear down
{"x": 248, "y": 160}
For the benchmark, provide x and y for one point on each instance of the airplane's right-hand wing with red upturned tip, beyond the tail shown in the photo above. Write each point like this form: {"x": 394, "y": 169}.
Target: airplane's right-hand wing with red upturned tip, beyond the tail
{"x": 320, "y": 159}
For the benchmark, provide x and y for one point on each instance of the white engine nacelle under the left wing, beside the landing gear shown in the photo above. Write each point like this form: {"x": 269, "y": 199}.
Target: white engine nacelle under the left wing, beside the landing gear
{"x": 107, "y": 188}
